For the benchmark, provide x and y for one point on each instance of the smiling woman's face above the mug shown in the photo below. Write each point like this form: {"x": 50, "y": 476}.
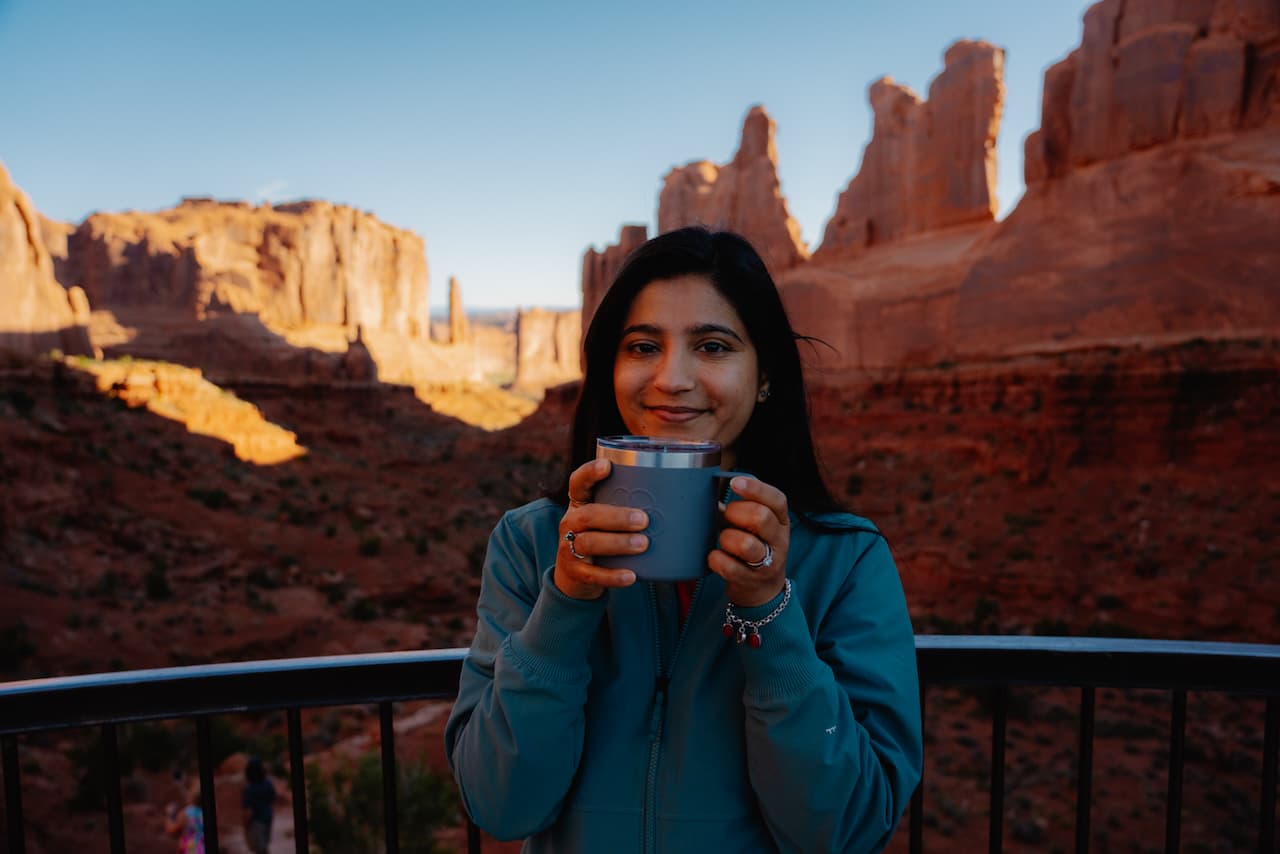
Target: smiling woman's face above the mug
{"x": 685, "y": 367}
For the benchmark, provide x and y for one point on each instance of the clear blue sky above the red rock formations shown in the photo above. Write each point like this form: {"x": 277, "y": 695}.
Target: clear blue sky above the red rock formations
{"x": 511, "y": 136}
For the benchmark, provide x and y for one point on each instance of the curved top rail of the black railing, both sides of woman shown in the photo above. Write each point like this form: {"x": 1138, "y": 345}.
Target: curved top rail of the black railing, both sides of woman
{"x": 342, "y": 681}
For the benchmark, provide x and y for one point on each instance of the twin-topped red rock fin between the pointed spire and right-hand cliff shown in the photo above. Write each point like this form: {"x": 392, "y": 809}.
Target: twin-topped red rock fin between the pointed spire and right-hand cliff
{"x": 930, "y": 165}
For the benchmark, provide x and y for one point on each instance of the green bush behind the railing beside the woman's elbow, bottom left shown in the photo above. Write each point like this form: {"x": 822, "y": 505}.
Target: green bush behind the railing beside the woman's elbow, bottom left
{"x": 346, "y": 809}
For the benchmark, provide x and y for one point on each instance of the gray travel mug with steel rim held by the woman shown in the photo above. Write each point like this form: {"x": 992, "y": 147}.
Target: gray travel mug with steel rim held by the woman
{"x": 683, "y": 490}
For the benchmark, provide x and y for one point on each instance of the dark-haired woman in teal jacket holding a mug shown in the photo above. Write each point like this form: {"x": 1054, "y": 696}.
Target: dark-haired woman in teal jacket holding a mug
{"x": 601, "y": 715}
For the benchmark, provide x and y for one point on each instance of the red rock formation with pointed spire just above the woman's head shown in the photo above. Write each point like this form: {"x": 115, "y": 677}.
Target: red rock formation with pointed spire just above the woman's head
{"x": 742, "y": 197}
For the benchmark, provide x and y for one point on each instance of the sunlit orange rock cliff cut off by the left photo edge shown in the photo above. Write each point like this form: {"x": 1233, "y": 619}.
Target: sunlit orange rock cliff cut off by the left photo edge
{"x": 39, "y": 314}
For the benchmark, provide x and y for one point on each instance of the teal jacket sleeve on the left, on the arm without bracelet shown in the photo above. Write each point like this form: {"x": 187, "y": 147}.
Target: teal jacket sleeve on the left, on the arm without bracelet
{"x": 515, "y": 736}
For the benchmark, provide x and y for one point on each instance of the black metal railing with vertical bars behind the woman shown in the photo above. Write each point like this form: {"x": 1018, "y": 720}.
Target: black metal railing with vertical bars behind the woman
{"x": 998, "y": 663}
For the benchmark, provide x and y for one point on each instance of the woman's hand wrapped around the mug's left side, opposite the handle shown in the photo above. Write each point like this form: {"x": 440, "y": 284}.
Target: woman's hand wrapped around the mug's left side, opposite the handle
{"x": 598, "y": 529}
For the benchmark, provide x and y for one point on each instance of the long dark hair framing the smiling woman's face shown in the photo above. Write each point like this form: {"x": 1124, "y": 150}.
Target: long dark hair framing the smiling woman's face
{"x": 776, "y": 445}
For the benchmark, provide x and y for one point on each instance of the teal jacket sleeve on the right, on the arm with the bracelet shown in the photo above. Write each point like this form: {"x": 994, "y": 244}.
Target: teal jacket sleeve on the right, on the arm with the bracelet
{"x": 834, "y": 718}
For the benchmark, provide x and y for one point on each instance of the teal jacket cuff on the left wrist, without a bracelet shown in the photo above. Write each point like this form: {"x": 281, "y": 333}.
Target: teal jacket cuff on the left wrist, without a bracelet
{"x": 554, "y": 641}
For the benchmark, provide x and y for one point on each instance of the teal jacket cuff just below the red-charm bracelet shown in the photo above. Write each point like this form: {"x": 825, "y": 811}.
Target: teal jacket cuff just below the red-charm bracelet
{"x": 787, "y": 665}
